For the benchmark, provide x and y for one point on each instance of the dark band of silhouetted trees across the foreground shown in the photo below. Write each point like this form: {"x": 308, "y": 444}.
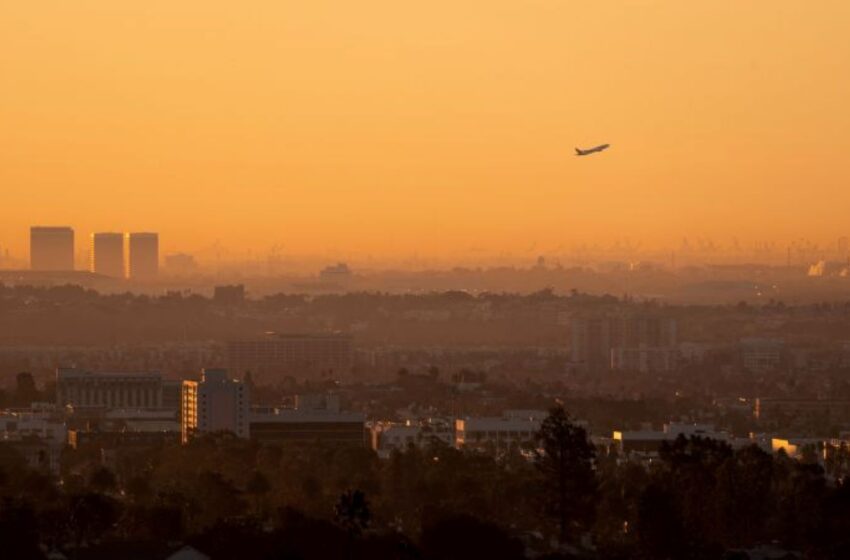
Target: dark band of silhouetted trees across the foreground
{"x": 233, "y": 498}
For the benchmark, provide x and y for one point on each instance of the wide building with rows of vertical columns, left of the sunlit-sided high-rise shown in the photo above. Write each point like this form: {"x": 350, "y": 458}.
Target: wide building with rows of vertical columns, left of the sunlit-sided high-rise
{"x": 84, "y": 389}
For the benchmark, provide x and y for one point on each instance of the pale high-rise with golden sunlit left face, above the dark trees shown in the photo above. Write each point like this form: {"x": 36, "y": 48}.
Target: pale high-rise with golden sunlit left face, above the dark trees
{"x": 217, "y": 403}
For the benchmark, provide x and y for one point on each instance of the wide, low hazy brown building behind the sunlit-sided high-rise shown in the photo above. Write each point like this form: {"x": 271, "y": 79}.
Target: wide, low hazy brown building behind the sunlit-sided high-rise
{"x": 275, "y": 355}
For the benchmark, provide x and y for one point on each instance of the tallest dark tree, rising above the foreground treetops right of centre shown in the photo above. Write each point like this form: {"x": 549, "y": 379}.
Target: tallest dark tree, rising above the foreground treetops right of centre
{"x": 565, "y": 463}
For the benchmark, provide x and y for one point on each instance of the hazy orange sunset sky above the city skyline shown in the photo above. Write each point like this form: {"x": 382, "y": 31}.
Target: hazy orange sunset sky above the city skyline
{"x": 388, "y": 127}
